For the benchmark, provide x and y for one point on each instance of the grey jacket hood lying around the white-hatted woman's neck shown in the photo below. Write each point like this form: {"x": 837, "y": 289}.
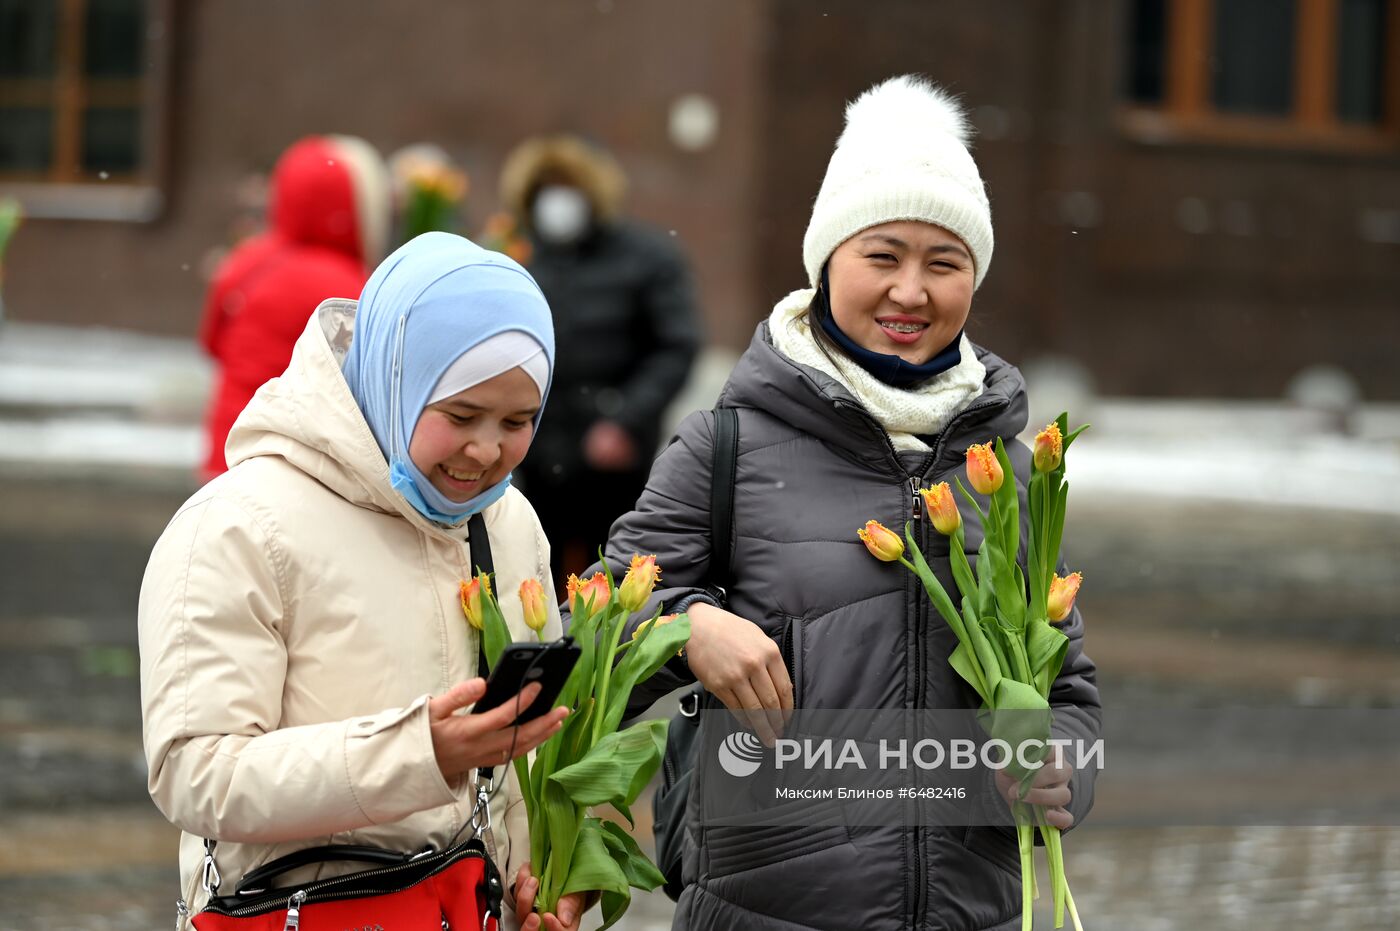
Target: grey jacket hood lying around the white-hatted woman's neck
{"x": 814, "y": 402}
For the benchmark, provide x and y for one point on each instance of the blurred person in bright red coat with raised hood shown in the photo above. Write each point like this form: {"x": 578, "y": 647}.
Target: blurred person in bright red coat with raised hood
{"x": 328, "y": 226}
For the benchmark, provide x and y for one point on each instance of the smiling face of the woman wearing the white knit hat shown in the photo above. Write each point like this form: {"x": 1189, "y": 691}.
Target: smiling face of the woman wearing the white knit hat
{"x": 902, "y": 289}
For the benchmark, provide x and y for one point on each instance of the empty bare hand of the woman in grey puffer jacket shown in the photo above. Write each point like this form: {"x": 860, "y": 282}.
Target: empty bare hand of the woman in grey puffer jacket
{"x": 743, "y": 667}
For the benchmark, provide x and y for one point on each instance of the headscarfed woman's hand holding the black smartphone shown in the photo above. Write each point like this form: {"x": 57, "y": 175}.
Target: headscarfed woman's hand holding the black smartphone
{"x": 465, "y": 743}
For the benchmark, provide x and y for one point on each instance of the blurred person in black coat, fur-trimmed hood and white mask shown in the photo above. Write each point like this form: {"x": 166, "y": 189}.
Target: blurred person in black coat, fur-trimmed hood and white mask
{"x": 626, "y": 327}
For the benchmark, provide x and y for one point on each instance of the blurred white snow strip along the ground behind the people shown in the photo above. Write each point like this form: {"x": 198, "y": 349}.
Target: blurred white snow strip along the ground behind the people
{"x": 96, "y": 400}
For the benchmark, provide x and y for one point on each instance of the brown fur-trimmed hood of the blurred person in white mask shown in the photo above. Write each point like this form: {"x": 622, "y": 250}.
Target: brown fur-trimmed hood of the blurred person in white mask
{"x": 566, "y": 159}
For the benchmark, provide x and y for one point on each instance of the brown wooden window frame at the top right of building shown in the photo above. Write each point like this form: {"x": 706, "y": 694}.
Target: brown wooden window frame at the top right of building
{"x": 1186, "y": 114}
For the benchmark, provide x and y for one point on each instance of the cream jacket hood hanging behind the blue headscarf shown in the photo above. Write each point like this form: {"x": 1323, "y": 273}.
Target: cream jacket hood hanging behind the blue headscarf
{"x": 310, "y": 419}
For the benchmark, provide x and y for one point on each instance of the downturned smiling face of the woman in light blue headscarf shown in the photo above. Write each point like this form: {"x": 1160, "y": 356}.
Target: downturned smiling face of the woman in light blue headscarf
{"x": 468, "y": 443}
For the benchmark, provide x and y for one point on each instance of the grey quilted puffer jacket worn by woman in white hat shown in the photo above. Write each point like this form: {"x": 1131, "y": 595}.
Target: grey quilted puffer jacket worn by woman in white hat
{"x": 813, "y": 468}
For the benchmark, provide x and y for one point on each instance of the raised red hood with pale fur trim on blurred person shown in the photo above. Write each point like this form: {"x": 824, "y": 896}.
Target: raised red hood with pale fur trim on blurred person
{"x": 332, "y": 191}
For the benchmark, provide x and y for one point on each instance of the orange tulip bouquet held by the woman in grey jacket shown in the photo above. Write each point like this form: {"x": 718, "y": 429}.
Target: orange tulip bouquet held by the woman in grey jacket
{"x": 1009, "y": 647}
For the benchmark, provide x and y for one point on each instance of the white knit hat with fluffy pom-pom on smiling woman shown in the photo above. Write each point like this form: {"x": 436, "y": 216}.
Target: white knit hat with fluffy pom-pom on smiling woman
{"x": 904, "y": 156}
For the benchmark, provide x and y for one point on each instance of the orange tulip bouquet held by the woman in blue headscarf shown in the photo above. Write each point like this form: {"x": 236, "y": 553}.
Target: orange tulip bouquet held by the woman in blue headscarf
{"x": 590, "y": 762}
